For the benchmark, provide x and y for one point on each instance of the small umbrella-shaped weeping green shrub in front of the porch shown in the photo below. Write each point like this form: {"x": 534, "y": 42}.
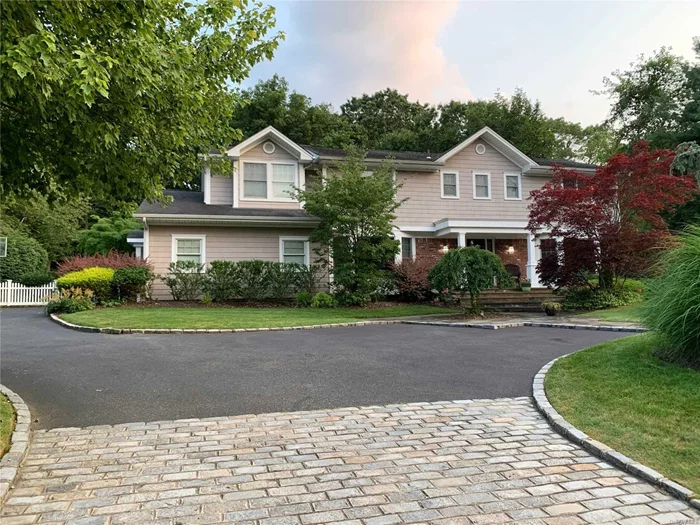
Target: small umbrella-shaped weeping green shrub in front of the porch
{"x": 468, "y": 270}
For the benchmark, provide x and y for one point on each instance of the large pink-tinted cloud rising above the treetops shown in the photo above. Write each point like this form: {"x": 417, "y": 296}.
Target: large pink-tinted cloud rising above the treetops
{"x": 347, "y": 48}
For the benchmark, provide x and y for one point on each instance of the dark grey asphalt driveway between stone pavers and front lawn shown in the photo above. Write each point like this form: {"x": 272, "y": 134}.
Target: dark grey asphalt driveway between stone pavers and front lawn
{"x": 71, "y": 378}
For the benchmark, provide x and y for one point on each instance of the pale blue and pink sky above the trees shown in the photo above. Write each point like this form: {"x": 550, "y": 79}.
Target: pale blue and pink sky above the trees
{"x": 438, "y": 51}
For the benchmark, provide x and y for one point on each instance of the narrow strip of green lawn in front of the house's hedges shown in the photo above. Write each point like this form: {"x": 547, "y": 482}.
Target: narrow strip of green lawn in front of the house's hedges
{"x": 200, "y": 318}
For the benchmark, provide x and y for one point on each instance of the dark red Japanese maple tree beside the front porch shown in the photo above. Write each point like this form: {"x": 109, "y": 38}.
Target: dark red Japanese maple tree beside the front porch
{"x": 609, "y": 222}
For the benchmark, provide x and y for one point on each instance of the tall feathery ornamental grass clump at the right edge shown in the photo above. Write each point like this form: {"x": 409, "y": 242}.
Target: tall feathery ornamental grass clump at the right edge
{"x": 673, "y": 304}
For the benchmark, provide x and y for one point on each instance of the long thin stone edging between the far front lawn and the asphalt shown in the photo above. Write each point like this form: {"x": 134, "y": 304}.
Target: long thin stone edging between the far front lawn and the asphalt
{"x": 486, "y": 326}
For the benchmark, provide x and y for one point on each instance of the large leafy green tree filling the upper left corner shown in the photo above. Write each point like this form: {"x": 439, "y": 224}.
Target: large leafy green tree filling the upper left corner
{"x": 116, "y": 100}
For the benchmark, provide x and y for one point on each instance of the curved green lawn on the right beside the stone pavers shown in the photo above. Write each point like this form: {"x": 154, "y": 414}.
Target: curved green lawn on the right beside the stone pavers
{"x": 623, "y": 396}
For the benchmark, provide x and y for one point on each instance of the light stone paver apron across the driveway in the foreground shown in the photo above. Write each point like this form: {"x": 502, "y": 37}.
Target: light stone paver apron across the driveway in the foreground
{"x": 485, "y": 461}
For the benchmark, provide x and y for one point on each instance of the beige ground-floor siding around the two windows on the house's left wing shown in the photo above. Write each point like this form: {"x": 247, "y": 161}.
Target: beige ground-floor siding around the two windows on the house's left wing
{"x": 232, "y": 244}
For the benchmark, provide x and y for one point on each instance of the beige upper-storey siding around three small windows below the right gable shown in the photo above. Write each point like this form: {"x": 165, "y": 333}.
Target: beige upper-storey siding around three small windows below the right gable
{"x": 425, "y": 205}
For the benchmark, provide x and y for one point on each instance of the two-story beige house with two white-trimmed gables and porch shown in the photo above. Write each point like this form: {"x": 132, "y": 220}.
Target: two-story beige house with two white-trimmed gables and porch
{"x": 474, "y": 194}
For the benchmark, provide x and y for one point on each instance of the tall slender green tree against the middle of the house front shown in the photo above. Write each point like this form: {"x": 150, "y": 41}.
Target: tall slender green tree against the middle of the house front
{"x": 356, "y": 213}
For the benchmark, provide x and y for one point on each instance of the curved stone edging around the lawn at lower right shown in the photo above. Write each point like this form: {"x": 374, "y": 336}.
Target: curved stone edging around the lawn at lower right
{"x": 601, "y": 450}
